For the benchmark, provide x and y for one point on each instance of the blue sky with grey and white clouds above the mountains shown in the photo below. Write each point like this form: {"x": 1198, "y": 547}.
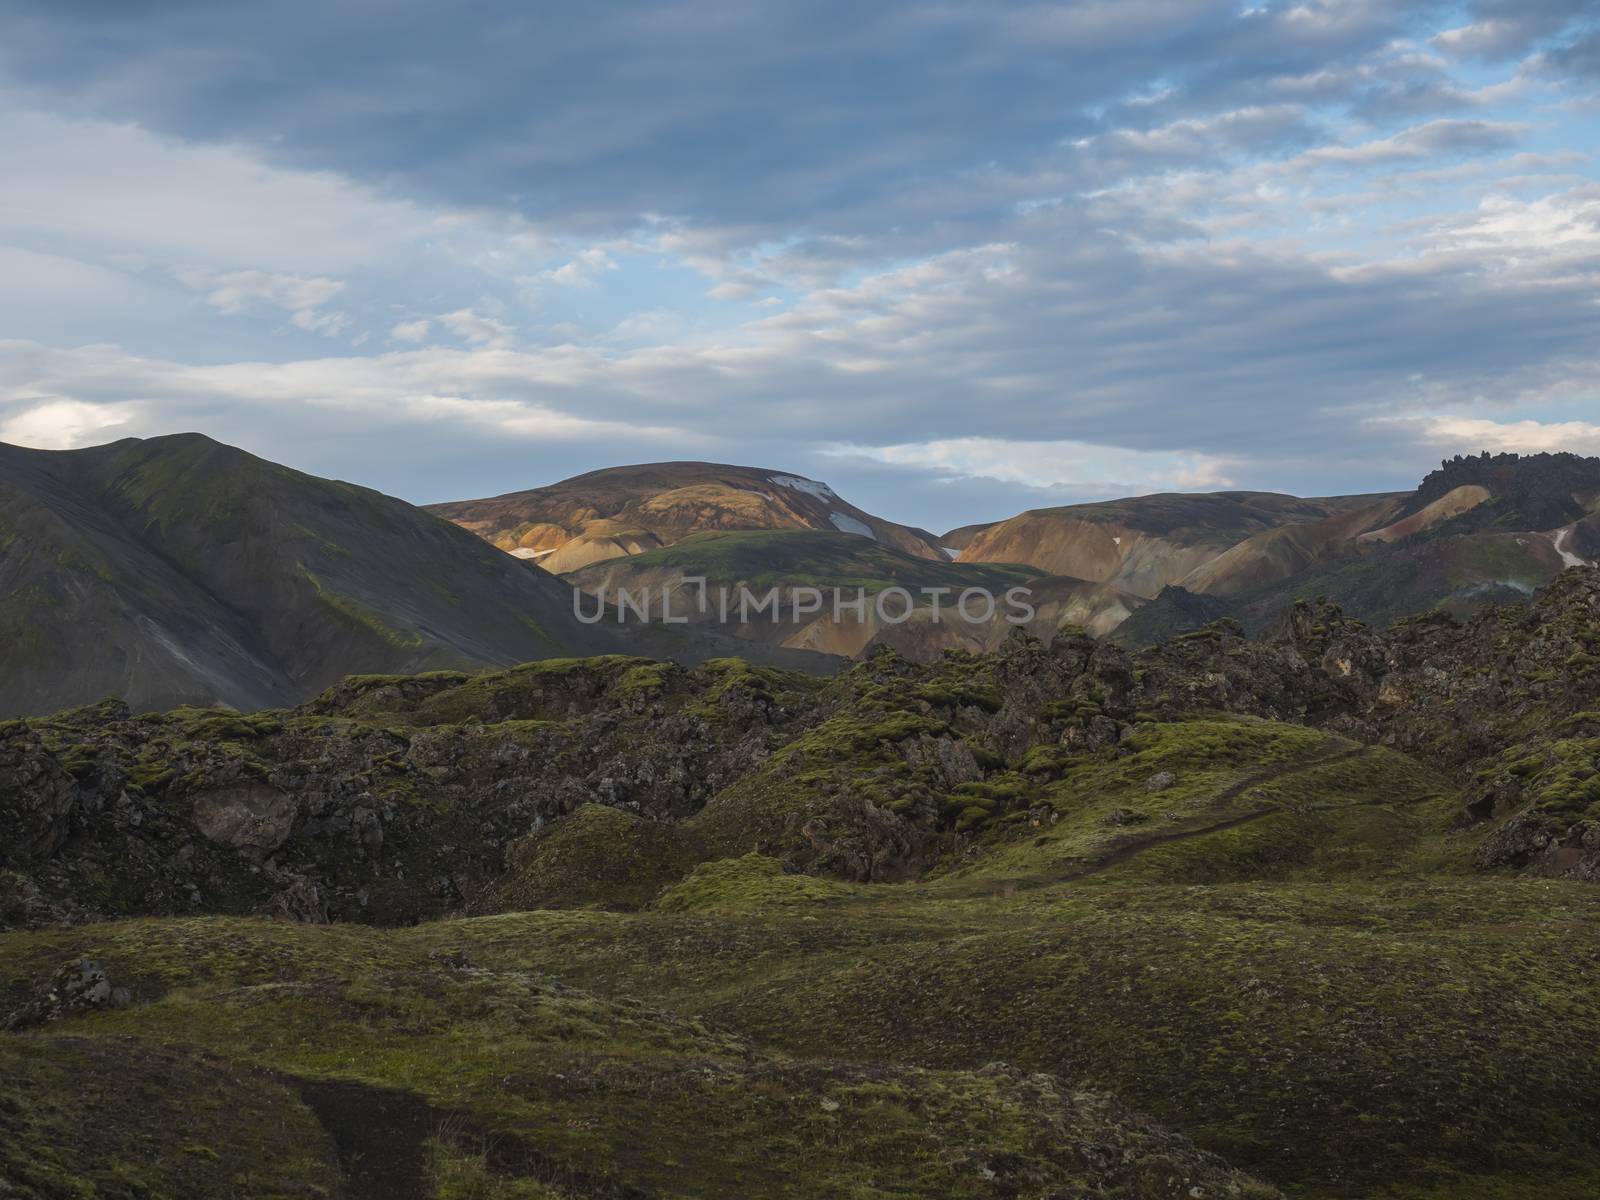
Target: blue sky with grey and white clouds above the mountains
{"x": 958, "y": 260}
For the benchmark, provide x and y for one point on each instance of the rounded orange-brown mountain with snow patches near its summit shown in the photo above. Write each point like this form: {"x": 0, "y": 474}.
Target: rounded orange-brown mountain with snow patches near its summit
{"x": 622, "y": 511}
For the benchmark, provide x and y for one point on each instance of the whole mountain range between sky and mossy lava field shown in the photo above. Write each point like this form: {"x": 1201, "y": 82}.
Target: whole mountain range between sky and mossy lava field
{"x": 178, "y": 570}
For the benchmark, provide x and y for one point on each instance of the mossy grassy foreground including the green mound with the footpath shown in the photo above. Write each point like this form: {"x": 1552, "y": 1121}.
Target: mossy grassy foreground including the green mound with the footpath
{"x": 1262, "y": 937}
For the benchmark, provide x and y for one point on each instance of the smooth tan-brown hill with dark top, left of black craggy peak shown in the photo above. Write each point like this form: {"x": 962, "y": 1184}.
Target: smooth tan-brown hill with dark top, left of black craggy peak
{"x": 1145, "y": 543}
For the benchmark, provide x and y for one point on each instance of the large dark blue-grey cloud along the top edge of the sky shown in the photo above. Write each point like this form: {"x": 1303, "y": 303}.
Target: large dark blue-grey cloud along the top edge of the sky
{"x": 831, "y": 111}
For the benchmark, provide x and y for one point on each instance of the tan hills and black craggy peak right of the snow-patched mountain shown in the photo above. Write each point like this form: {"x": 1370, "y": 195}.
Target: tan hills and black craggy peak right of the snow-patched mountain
{"x": 1481, "y": 530}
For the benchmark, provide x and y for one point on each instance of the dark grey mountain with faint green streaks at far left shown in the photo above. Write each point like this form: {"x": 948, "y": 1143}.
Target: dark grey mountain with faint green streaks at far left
{"x": 180, "y": 570}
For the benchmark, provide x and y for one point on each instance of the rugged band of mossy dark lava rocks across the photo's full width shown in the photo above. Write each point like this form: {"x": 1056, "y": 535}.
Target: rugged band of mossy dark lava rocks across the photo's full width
{"x": 396, "y": 799}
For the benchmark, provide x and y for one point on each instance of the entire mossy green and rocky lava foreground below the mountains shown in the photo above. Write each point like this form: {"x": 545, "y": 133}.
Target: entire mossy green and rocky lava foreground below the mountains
{"x": 1314, "y": 905}
